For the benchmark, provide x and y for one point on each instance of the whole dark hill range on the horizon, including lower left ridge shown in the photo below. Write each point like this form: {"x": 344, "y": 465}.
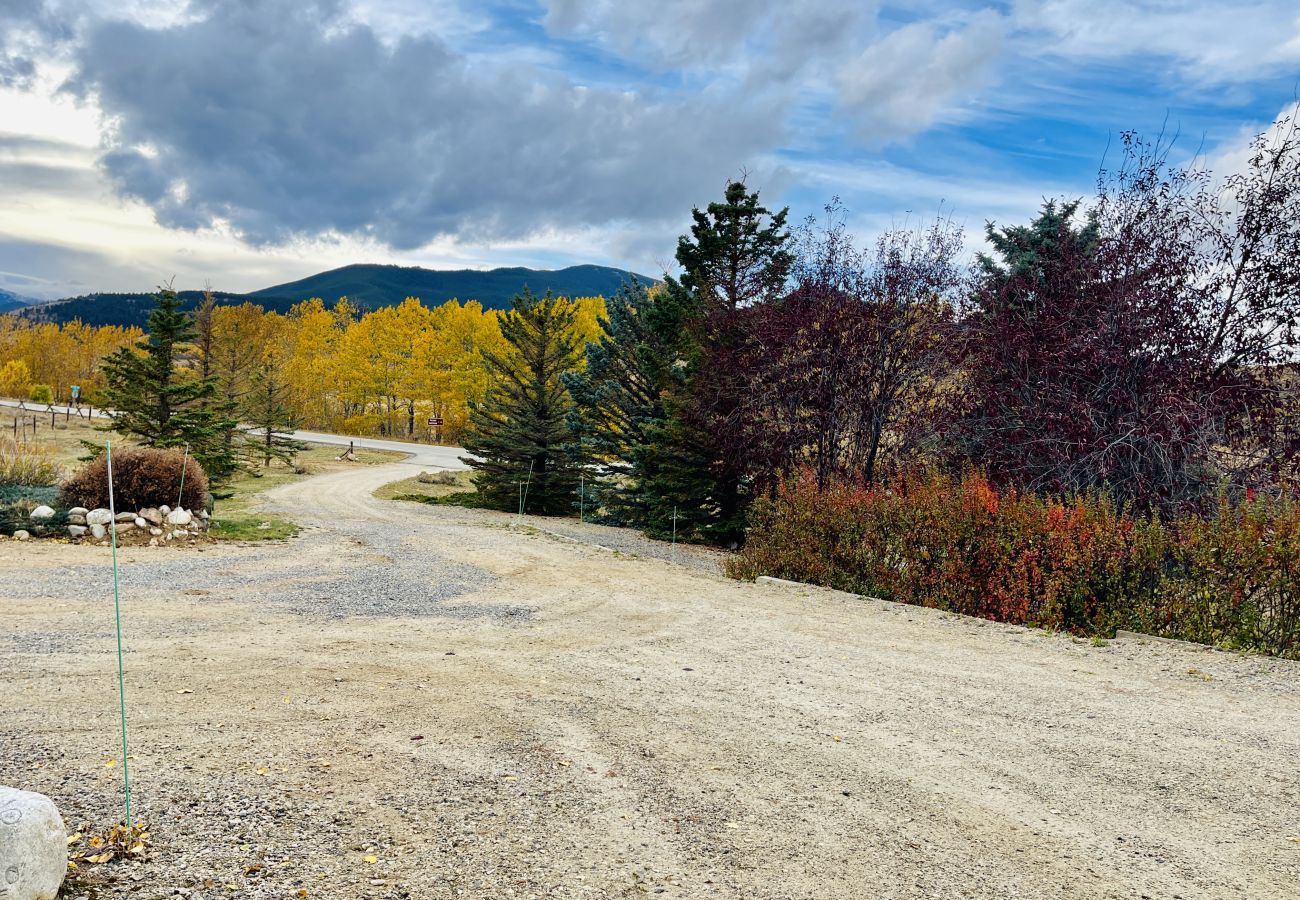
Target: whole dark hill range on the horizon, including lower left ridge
{"x": 369, "y": 287}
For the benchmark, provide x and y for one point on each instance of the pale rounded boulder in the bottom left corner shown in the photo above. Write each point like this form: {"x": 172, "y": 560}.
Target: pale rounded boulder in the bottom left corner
{"x": 33, "y": 846}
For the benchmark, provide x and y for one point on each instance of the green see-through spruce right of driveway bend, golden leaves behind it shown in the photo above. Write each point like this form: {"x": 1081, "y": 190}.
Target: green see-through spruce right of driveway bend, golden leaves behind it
{"x": 519, "y": 432}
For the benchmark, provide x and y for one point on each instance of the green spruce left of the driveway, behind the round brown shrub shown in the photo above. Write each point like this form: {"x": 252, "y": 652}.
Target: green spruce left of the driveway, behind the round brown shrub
{"x": 154, "y": 401}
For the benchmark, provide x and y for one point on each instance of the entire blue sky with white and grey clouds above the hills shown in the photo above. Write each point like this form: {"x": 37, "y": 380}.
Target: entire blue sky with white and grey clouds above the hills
{"x": 246, "y": 142}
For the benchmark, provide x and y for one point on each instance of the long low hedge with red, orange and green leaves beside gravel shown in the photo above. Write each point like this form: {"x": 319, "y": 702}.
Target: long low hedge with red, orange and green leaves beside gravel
{"x": 1230, "y": 578}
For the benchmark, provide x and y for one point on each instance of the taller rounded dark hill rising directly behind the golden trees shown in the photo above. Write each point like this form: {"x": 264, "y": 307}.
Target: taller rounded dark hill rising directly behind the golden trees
{"x": 384, "y": 285}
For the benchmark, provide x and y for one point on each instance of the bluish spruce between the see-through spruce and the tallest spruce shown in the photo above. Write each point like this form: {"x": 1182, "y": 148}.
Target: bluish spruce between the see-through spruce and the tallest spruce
{"x": 617, "y": 403}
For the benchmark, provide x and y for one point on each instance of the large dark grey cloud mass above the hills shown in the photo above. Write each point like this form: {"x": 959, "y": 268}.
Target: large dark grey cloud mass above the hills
{"x": 284, "y": 120}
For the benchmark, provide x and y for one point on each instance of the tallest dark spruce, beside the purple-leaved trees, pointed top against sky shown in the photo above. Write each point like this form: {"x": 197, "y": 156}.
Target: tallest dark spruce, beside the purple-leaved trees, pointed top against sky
{"x": 736, "y": 256}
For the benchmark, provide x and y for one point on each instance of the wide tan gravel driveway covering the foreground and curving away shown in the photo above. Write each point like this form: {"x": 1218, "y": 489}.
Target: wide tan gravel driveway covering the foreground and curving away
{"x": 489, "y": 712}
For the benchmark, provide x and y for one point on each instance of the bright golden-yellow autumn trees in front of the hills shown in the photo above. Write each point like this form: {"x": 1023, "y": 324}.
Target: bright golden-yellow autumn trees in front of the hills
{"x": 384, "y": 373}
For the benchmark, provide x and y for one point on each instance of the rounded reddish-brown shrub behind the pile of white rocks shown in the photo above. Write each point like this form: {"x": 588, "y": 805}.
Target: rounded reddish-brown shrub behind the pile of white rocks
{"x": 142, "y": 478}
